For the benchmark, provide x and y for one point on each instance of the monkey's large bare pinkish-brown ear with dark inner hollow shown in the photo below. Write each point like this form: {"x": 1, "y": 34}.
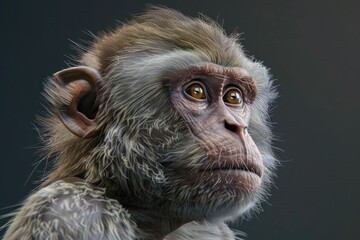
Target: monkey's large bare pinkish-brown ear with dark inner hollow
{"x": 80, "y": 114}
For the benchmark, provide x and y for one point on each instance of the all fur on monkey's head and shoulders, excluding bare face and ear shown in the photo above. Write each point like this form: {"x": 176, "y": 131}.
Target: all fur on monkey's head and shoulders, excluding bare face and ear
{"x": 137, "y": 137}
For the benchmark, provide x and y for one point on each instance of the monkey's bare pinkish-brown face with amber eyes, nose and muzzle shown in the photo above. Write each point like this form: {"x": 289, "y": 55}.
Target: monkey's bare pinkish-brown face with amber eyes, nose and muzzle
{"x": 225, "y": 175}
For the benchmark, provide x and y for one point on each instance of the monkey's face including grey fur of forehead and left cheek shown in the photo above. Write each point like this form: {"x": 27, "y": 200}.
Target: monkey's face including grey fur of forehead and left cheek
{"x": 180, "y": 133}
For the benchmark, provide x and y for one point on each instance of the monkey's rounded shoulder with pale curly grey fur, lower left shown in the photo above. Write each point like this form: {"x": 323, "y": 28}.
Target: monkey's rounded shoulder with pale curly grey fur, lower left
{"x": 75, "y": 210}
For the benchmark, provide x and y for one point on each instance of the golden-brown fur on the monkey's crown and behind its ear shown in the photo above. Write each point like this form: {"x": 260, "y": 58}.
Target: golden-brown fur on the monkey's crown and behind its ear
{"x": 205, "y": 38}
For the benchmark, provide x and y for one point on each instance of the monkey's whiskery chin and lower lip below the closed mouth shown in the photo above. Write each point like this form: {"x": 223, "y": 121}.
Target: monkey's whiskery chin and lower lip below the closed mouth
{"x": 220, "y": 193}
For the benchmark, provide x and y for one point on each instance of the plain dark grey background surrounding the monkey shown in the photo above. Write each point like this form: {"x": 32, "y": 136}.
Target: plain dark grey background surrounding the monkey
{"x": 312, "y": 48}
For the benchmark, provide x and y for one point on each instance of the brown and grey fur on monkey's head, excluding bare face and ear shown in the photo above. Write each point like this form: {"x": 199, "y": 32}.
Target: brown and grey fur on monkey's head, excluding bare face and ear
{"x": 136, "y": 59}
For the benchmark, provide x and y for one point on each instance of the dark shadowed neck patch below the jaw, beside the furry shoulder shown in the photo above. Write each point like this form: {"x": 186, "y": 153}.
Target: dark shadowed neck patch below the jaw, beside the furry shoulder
{"x": 153, "y": 223}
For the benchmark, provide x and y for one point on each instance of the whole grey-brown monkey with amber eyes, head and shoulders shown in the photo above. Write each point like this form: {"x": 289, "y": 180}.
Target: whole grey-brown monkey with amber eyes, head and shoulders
{"x": 161, "y": 130}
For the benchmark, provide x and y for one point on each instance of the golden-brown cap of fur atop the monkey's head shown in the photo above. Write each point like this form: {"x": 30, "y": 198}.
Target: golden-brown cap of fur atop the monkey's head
{"x": 161, "y": 29}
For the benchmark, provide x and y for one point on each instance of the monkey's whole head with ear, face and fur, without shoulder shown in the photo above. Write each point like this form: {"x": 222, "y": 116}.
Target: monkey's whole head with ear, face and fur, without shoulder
{"x": 167, "y": 112}
